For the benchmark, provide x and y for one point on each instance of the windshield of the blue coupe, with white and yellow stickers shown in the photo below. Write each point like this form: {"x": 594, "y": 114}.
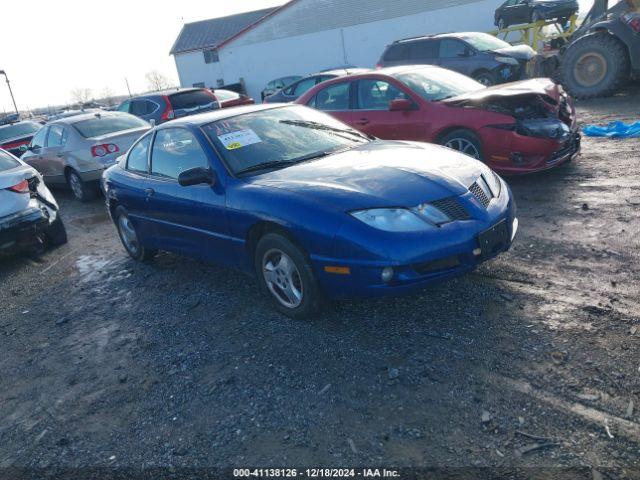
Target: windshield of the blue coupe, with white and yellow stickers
{"x": 282, "y": 136}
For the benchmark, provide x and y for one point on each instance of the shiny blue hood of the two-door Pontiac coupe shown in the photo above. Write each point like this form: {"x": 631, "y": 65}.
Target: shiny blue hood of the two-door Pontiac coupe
{"x": 379, "y": 174}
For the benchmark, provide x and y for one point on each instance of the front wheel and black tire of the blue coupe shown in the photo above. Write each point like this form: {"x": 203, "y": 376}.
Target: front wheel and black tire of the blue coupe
{"x": 285, "y": 276}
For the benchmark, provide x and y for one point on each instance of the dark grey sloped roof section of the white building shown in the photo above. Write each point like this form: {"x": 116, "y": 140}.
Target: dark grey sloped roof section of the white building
{"x": 213, "y": 32}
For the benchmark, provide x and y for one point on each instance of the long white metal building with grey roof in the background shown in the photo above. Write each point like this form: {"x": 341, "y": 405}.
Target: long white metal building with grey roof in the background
{"x": 306, "y": 36}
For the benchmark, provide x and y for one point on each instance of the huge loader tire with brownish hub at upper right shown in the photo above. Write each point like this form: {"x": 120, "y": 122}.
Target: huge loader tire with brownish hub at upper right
{"x": 594, "y": 66}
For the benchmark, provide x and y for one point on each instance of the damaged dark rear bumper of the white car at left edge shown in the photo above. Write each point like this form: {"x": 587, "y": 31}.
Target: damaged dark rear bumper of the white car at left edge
{"x": 24, "y": 230}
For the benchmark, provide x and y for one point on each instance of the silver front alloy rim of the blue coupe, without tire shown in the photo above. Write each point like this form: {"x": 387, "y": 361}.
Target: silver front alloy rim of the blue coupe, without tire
{"x": 282, "y": 278}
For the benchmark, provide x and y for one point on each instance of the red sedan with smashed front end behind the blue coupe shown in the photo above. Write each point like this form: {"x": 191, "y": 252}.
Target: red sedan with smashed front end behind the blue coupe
{"x": 518, "y": 127}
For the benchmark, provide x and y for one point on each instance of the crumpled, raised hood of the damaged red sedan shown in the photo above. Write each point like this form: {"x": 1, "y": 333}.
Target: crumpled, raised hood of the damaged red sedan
{"x": 535, "y": 86}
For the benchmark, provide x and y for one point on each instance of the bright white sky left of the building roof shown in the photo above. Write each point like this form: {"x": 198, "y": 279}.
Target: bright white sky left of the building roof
{"x": 48, "y": 48}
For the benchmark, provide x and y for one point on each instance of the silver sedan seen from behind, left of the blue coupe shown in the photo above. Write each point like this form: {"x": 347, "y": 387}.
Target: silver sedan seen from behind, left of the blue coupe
{"x": 74, "y": 151}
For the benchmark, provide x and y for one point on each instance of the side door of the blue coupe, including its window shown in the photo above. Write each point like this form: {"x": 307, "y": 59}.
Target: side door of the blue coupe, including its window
{"x": 190, "y": 220}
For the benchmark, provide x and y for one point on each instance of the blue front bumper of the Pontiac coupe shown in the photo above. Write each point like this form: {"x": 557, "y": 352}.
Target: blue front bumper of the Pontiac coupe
{"x": 460, "y": 251}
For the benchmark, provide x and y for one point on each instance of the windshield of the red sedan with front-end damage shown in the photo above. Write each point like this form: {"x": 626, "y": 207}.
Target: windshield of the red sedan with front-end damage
{"x": 435, "y": 84}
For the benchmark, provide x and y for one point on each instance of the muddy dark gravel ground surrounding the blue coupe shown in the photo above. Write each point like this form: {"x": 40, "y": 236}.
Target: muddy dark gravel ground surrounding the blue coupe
{"x": 110, "y": 363}
